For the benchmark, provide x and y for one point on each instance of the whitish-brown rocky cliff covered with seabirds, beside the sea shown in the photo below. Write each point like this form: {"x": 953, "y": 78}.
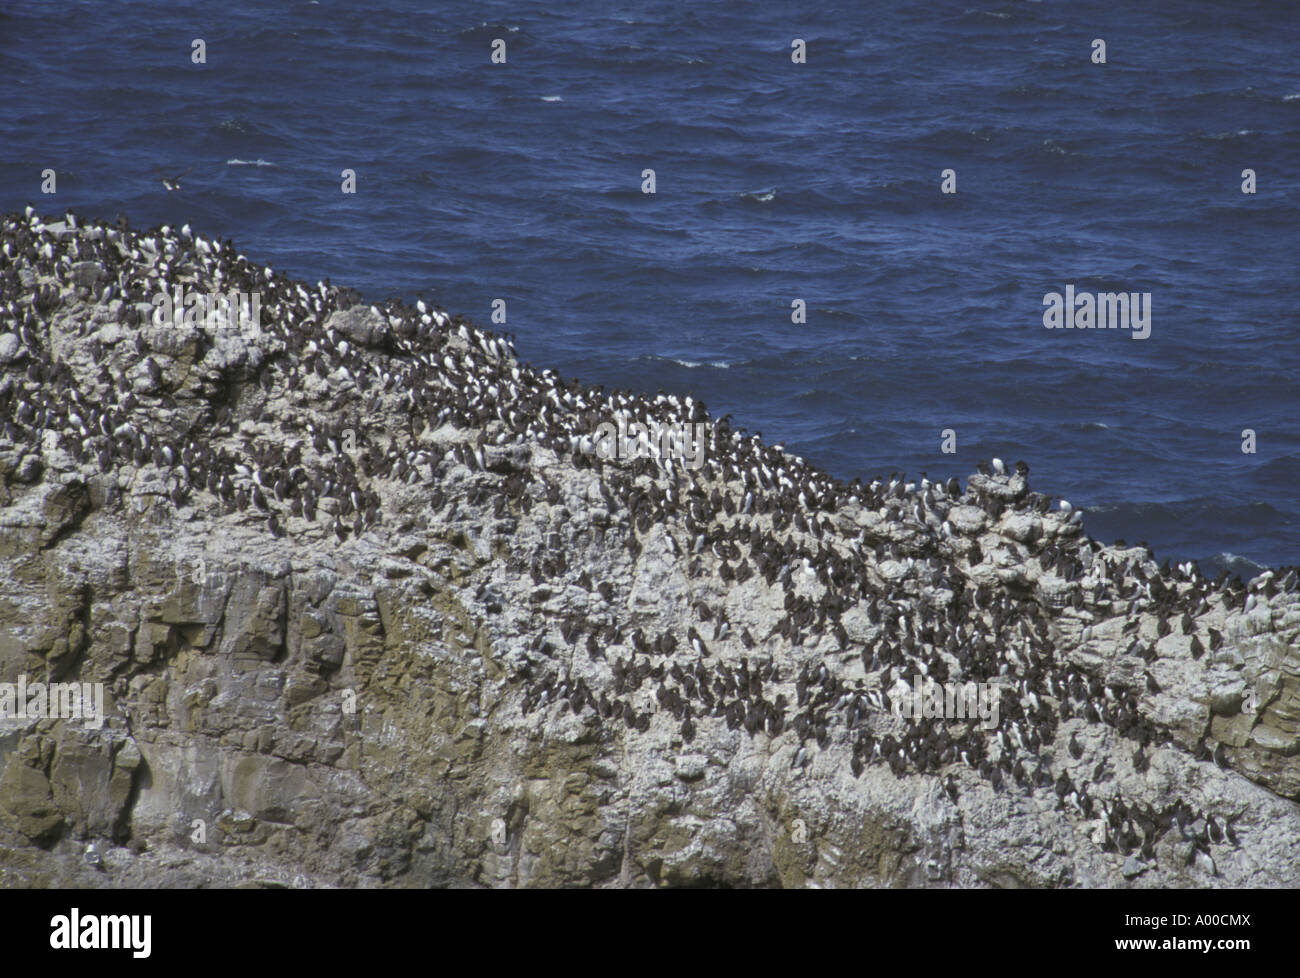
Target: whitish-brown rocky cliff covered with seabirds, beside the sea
{"x": 367, "y": 612}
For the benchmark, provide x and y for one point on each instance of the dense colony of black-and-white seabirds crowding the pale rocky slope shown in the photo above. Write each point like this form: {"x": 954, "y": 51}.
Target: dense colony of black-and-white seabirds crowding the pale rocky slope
{"x": 899, "y": 561}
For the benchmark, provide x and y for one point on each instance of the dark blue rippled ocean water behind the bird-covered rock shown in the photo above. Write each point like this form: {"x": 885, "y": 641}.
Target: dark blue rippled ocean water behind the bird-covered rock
{"x": 775, "y": 181}
